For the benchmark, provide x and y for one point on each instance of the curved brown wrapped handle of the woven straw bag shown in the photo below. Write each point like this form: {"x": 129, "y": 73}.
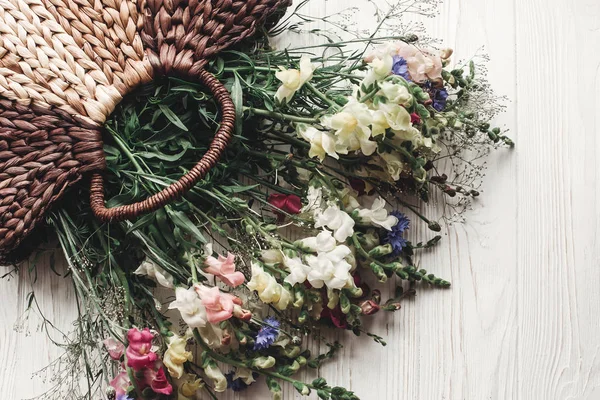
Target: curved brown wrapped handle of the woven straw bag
{"x": 186, "y": 182}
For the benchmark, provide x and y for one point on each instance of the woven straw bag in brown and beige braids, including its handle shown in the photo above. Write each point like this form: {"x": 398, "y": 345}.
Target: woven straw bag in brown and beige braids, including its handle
{"x": 66, "y": 64}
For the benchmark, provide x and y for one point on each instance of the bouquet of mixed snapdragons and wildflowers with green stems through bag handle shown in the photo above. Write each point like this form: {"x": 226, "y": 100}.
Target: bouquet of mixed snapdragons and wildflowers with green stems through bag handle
{"x": 288, "y": 235}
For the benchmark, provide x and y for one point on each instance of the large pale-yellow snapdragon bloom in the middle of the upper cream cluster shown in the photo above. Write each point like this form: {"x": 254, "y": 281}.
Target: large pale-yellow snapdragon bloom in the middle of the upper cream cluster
{"x": 351, "y": 126}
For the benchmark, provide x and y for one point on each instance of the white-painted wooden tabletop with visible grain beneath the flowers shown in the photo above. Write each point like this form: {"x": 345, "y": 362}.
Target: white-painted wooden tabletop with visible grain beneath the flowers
{"x": 522, "y": 320}
